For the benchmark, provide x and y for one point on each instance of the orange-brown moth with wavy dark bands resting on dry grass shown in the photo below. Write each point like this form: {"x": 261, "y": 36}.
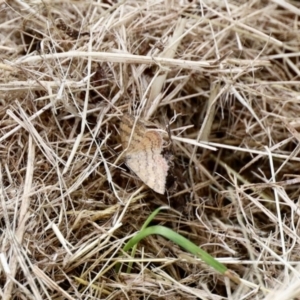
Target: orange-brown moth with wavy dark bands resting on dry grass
{"x": 143, "y": 153}
